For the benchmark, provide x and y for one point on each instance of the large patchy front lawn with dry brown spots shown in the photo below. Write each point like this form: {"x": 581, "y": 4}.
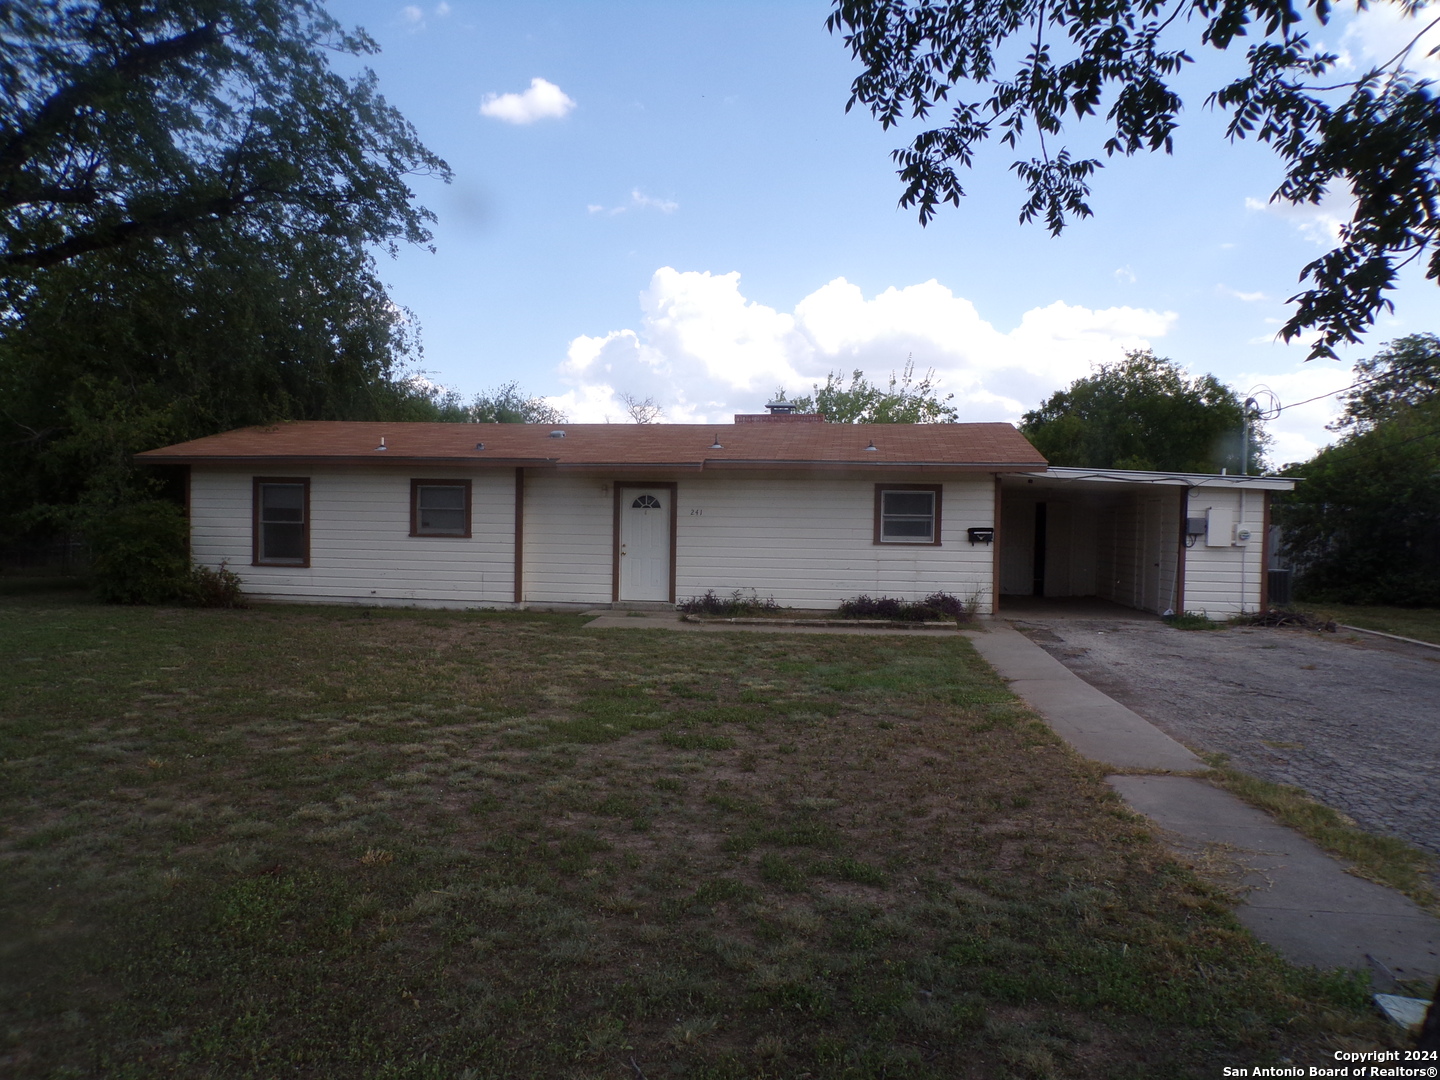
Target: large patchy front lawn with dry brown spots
{"x": 438, "y": 845}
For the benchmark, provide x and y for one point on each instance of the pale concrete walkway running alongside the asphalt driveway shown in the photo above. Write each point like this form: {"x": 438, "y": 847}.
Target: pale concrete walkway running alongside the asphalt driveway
{"x": 1297, "y": 899}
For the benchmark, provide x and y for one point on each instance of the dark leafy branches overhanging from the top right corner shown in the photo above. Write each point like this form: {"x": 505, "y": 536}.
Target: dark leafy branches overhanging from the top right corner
{"x": 1022, "y": 70}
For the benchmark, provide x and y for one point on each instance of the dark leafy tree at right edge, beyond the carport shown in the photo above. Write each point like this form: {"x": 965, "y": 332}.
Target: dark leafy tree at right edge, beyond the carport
{"x": 1364, "y": 523}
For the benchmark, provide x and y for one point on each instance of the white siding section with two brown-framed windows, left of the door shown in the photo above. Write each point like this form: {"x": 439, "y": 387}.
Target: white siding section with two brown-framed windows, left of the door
{"x": 361, "y": 544}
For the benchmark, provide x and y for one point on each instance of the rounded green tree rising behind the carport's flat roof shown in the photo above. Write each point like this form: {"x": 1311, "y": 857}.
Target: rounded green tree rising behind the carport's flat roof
{"x": 1143, "y": 414}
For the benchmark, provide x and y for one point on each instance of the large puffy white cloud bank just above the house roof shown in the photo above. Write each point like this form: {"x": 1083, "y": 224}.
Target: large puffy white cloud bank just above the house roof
{"x": 703, "y": 351}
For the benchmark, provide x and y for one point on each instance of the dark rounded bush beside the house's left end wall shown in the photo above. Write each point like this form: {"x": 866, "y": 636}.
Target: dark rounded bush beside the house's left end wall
{"x": 140, "y": 554}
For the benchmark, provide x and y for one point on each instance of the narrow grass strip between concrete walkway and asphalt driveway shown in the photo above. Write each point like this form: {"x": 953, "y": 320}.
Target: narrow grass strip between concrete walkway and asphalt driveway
{"x": 1387, "y": 860}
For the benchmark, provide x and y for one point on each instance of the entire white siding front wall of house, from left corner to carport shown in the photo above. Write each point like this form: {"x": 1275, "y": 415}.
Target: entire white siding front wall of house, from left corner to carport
{"x": 807, "y": 541}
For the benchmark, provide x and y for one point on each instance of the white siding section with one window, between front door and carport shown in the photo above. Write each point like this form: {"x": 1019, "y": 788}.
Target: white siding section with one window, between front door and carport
{"x": 810, "y": 541}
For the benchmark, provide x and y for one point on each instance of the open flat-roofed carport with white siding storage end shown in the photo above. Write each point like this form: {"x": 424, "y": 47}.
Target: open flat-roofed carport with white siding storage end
{"x": 1156, "y": 542}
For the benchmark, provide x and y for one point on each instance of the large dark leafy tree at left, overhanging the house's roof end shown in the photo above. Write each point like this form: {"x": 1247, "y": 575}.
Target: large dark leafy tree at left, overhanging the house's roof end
{"x": 191, "y": 201}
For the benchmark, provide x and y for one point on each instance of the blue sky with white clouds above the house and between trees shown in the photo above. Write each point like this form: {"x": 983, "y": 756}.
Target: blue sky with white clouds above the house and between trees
{"x": 669, "y": 201}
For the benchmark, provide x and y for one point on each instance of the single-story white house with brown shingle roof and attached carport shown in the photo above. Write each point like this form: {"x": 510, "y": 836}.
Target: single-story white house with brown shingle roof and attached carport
{"x": 810, "y": 513}
